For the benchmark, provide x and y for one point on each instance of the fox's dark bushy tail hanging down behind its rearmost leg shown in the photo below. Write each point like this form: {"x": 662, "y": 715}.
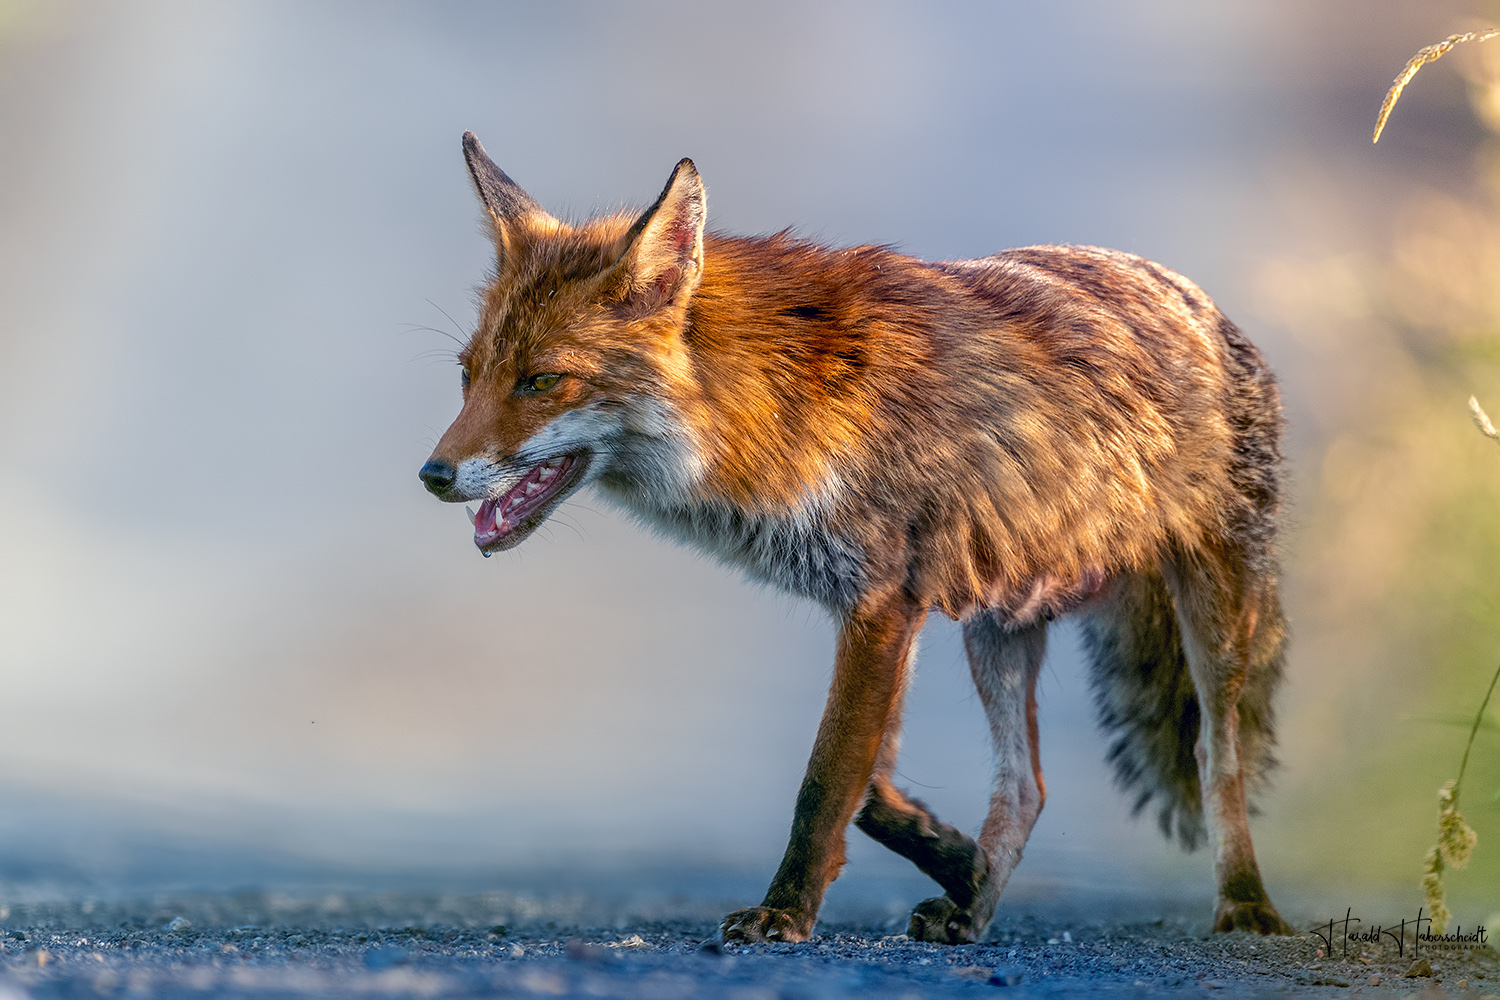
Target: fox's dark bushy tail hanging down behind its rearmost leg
{"x": 1147, "y": 702}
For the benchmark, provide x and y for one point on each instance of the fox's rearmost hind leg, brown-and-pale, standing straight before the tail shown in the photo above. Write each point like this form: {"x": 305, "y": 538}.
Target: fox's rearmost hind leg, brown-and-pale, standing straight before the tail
{"x": 1232, "y": 633}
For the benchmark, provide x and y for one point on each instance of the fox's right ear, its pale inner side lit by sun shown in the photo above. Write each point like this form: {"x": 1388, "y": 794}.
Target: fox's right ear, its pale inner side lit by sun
{"x": 665, "y": 250}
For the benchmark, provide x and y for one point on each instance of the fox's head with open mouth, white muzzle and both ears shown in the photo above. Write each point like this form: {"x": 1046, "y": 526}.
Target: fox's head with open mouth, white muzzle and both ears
{"x": 578, "y": 371}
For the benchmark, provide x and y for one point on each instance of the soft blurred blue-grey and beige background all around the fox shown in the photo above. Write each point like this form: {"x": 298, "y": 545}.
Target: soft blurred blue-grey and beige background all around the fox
{"x": 239, "y": 645}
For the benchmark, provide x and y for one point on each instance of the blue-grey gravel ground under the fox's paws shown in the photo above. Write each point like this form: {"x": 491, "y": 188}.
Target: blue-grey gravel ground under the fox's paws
{"x": 271, "y": 945}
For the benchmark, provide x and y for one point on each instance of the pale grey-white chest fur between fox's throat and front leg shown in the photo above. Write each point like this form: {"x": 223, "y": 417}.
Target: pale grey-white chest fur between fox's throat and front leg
{"x": 797, "y": 555}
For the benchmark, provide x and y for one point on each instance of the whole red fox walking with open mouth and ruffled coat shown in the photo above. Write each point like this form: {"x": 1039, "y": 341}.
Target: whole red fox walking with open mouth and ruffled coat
{"x": 1048, "y": 433}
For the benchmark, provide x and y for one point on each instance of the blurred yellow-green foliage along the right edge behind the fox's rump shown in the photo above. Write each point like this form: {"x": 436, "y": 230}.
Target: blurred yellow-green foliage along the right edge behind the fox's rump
{"x": 1394, "y": 558}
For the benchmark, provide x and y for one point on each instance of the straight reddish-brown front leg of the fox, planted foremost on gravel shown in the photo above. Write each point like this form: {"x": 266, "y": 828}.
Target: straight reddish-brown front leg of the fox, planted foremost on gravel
{"x": 868, "y": 686}
